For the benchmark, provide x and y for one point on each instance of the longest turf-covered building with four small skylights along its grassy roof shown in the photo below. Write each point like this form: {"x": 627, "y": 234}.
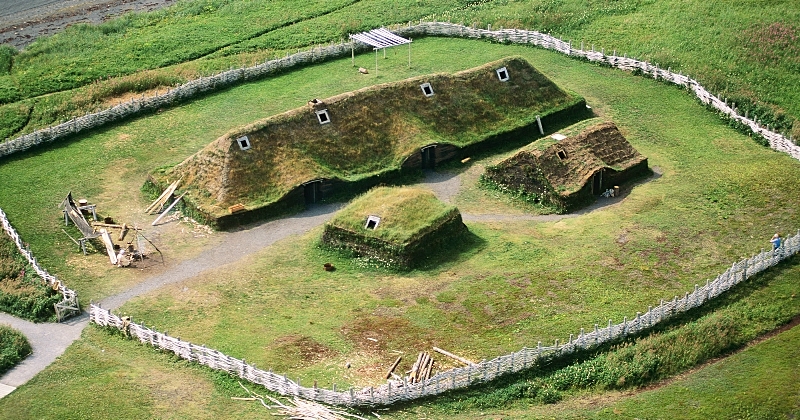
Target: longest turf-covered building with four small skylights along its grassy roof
{"x": 363, "y": 137}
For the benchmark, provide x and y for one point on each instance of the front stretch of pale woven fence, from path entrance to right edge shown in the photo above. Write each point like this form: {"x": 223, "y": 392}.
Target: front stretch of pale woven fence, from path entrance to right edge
{"x": 457, "y": 378}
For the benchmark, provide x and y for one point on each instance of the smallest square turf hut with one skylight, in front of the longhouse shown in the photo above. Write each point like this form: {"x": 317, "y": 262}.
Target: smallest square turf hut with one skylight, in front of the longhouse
{"x": 394, "y": 225}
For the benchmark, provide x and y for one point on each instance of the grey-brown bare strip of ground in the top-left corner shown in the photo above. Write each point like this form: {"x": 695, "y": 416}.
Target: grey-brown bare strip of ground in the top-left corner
{"x": 22, "y": 21}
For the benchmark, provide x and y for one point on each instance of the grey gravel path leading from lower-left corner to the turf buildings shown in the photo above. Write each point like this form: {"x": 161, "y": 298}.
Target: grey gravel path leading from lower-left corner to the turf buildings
{"x": 51, "y": 340}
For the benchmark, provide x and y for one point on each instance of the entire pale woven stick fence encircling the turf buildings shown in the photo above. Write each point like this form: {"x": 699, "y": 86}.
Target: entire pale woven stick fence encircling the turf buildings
{"x": 458, "y": 378}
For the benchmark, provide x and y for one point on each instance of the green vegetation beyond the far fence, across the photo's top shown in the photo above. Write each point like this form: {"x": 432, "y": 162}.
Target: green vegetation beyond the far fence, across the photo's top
{"x": 755, "y": 67}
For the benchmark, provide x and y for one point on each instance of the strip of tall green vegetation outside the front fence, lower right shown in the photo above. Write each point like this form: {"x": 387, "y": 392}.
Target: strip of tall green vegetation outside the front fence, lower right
{"x": 755, "y": 308}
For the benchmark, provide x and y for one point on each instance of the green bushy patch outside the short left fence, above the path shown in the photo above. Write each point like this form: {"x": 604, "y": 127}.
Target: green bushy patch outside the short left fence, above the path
{"x": 22, "y": 293}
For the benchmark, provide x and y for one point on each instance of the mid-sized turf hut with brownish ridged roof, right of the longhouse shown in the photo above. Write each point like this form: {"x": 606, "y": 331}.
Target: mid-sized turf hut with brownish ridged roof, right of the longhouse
{"x": 590, "y": 157}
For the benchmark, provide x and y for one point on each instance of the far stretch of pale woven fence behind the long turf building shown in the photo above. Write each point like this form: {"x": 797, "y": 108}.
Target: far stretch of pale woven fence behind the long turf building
{"x": 192, "y": 88}
